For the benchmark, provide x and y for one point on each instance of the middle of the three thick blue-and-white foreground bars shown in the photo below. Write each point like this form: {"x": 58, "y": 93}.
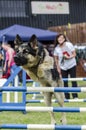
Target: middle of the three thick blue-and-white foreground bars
{"x": 43, "y": 109}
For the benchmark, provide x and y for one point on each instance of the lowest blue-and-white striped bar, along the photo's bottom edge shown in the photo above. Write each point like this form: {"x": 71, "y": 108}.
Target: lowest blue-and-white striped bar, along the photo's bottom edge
{"x": 45, "y": 127}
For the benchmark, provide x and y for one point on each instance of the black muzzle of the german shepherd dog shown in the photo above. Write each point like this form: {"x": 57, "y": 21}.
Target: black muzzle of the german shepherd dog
{"x": 20, "y": 60}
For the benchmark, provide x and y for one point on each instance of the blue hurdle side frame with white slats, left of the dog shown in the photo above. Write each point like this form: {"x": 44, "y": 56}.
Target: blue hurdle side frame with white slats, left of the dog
{"x": 18, "y": 101}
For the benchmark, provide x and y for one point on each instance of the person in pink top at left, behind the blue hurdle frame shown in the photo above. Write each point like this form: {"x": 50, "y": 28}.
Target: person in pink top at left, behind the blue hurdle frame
{"x": 9, "y": 66}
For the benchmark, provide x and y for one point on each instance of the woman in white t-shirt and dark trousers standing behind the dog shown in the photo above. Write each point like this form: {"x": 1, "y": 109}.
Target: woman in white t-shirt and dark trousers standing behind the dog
{"x": 64, "y": 55}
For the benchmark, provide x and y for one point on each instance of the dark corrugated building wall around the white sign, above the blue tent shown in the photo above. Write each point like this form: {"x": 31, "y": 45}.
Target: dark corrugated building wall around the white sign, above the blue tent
{"x": 19, "y": 12}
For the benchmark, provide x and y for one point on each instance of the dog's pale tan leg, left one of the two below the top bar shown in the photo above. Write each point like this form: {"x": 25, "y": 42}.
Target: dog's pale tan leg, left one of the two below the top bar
{"x": 47, "y": 99}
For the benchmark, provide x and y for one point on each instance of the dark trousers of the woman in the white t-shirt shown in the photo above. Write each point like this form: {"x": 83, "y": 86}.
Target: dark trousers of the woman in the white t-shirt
{"x": 72, "y": 73}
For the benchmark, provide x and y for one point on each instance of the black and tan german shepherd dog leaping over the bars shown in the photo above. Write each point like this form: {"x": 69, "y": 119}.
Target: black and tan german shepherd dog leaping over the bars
{"x": 35, "y": 60}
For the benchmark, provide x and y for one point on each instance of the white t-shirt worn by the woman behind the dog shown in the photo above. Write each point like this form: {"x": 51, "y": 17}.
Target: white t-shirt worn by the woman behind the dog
{"x": 68, "y": 48}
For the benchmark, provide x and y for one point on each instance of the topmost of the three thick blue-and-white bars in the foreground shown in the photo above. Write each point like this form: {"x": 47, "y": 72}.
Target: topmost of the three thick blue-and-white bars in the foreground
{"x": 44, "y": 89}
